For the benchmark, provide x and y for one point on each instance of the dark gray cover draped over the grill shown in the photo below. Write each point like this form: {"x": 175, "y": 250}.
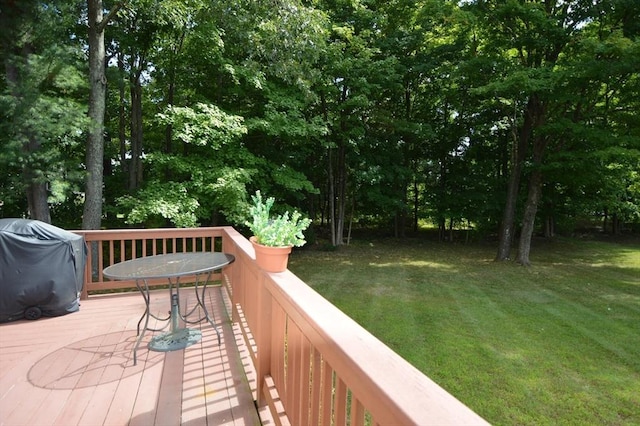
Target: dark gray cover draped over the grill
{"x": 41, "y": 266}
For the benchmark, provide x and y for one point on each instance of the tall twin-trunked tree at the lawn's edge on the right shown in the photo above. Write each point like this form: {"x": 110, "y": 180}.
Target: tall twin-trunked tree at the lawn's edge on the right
{"x": 528, "y": 38}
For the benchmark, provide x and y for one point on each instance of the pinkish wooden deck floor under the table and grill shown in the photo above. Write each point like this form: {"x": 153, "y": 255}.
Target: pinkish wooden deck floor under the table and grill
{"x": 77, "y": 369}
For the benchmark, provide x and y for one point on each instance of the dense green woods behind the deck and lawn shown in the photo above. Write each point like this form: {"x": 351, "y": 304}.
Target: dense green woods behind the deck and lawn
{"x": 508, "y": 117}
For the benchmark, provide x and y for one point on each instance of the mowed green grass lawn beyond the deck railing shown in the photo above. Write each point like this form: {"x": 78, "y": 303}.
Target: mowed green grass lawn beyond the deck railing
{"x": 555, "y": 343}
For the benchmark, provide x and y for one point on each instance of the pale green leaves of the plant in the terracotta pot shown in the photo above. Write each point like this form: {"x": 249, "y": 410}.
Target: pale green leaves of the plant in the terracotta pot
{"x": 275, "y": 231}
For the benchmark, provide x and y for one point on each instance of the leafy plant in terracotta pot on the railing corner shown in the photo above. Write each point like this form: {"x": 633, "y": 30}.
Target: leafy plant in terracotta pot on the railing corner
{"x": 274, "y": 236}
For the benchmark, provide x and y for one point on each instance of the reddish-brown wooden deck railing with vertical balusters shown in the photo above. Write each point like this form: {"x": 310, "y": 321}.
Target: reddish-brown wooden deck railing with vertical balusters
{"x": 314, "y": 365}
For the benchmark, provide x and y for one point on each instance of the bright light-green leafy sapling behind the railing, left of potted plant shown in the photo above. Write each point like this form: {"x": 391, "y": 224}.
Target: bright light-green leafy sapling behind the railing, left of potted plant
{"x": 207, "y": 180}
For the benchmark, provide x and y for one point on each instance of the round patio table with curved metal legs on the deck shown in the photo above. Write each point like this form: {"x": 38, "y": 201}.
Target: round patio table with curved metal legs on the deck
{"x": 172, "y": 267}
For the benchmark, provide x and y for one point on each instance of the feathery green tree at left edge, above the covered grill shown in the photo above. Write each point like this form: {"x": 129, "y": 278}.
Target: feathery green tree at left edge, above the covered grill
{"x": 42, "y": 112}
